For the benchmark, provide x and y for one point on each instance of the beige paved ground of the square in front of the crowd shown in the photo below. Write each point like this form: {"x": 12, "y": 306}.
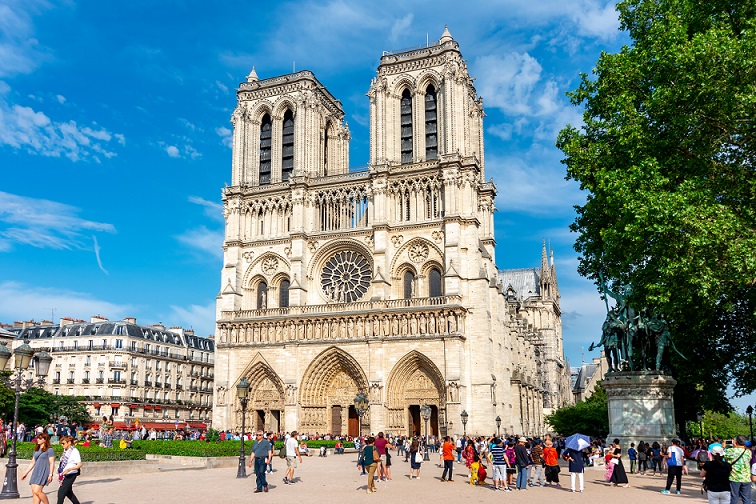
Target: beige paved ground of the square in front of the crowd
{"x": 336, "y": 478}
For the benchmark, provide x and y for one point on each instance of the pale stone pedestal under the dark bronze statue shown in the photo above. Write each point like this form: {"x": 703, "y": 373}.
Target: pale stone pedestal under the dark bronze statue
{"x": 640, "y": 407}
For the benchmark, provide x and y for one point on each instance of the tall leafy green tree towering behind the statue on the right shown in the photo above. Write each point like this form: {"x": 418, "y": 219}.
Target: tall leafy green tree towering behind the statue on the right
{"x": 667, "y": 156}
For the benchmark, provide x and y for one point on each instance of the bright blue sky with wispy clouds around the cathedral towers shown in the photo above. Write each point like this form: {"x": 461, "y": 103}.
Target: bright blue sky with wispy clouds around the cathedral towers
{"x": 114, "y": 136}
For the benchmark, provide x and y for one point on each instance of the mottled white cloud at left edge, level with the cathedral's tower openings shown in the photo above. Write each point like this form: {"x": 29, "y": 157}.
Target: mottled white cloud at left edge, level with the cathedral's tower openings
{"x": 33, "y": 131}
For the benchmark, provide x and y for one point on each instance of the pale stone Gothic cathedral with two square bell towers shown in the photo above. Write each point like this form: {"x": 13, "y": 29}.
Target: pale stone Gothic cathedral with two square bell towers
{"x": 380, "y": 281}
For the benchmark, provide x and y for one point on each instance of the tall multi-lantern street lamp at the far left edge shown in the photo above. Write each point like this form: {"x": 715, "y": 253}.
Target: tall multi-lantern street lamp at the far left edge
{"x": 22, "y": 358}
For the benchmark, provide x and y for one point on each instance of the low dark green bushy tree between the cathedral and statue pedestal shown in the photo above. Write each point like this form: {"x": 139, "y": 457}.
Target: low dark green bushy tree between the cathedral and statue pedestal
{"x": 589, "y": 417}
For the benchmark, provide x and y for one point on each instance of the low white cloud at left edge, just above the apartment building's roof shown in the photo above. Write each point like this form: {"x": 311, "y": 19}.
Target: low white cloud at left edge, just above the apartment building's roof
{"x": 19, "y": 301}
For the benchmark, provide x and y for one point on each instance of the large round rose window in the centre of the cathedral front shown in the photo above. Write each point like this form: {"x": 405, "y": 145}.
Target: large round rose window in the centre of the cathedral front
{"x": 346, "y": 277}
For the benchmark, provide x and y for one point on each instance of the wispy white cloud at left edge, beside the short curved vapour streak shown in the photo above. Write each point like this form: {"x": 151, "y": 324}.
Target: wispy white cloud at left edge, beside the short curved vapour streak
{"x": 44, "y": 224}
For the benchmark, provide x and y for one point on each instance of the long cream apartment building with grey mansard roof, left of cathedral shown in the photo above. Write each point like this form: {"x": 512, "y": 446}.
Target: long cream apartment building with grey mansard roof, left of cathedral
{"x": 132, "y": 372}
